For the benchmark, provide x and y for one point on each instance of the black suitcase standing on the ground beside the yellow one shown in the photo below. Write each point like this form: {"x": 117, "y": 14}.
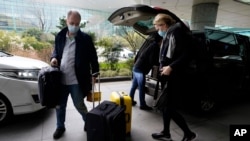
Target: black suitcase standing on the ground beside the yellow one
{"x": 106, "y": 122}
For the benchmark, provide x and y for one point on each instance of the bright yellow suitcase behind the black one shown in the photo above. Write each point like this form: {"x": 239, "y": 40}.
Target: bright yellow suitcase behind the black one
{"x": 122, "y": 98}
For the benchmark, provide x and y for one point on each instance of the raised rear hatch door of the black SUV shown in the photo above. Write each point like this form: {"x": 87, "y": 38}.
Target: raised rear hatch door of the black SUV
{"x": 140, "y": 17}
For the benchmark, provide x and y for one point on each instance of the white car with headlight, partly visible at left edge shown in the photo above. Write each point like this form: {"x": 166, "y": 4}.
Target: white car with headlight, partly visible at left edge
{"x": 18, "y": 85}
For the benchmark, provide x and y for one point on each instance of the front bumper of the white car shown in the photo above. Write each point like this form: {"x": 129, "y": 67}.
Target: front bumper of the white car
{"x": 22, "y": 94}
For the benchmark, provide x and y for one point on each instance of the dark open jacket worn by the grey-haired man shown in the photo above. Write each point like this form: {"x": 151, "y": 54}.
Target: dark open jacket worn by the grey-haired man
{"x": 86, "y": 60}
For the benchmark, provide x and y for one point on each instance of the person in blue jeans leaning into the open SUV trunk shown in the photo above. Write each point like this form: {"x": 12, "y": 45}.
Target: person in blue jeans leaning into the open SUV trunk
{"x": 145, "y": 59}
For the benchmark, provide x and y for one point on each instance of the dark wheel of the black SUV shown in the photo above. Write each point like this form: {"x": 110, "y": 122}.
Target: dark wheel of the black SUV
{"x": 207, "y": 104}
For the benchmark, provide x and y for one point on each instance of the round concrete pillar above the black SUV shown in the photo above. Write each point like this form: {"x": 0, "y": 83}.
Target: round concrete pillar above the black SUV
{"x": 204, "y": 13}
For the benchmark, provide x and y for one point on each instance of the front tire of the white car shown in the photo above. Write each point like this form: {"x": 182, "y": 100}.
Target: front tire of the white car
{"x": 5, "y": 110}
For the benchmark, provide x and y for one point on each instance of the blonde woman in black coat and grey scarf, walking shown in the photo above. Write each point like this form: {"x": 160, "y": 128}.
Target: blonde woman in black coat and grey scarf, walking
{"x": 173, "y": 60}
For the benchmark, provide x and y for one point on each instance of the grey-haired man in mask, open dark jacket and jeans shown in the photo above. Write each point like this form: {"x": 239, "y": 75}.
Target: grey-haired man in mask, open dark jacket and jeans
{"x": 75, "y": 54}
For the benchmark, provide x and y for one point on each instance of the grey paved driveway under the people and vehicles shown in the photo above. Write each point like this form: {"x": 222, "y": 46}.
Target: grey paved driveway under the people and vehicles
{"x": 41, "y": 125}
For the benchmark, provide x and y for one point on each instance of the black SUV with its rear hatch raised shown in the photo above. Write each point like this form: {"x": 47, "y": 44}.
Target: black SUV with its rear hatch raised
{"x": 220, "y": 65}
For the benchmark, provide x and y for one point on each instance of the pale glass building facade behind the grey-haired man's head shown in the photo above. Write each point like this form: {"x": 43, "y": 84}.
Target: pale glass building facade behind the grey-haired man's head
{"x": 20, "y": 15}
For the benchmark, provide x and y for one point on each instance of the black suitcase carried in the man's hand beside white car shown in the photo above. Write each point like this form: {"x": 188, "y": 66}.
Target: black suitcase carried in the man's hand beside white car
{"x": 49, "y": 85}
